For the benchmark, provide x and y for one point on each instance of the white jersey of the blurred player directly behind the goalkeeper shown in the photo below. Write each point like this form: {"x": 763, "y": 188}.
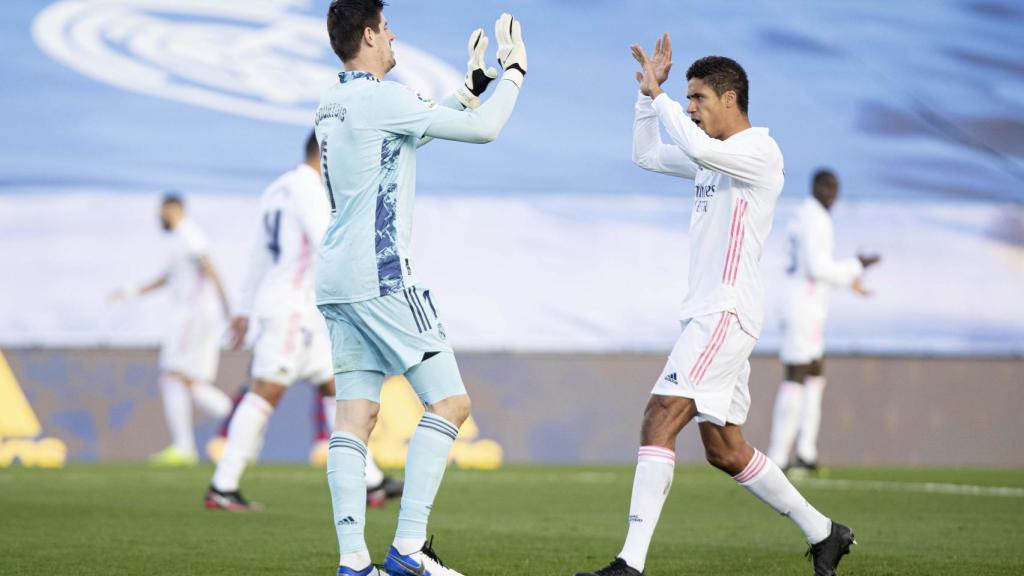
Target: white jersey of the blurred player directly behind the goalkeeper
{"x": 294, "y": 214}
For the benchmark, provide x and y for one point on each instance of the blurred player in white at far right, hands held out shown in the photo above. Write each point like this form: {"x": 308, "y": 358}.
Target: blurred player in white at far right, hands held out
{"x": 812, "y": 274}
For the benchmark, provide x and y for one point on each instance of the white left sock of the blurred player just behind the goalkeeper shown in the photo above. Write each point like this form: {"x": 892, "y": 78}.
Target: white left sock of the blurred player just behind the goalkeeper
{"x": 245, "y": 437}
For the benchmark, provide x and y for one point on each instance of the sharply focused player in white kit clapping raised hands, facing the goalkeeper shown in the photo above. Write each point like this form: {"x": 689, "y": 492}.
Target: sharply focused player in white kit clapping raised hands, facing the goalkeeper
{"x": 739, "y": 175}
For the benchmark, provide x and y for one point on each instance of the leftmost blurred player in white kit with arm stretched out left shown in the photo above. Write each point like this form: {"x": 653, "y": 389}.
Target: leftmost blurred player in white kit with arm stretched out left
{"x": 191, "y": 350}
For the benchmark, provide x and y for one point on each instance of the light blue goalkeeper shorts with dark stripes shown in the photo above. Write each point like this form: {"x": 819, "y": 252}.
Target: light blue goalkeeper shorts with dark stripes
{"x": 389, "y": 336}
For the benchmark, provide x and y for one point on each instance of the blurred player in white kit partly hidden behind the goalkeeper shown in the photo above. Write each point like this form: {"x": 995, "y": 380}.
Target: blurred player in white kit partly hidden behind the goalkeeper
{"x": 292, "y": 344}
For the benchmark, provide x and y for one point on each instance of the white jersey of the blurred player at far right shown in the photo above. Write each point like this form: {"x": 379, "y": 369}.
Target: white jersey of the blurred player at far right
{"x": 812, "y": 272}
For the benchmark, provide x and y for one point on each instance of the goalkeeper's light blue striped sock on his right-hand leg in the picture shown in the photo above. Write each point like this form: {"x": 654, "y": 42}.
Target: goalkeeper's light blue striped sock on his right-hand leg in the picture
{"x": 429, "y": 452}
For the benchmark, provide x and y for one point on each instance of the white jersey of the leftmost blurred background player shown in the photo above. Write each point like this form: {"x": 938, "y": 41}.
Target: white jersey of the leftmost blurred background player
{"x": 192, "y": 292}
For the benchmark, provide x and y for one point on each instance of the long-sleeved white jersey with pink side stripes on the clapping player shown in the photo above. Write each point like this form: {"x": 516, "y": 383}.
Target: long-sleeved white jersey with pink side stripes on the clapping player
{"x": 738, "y": 182}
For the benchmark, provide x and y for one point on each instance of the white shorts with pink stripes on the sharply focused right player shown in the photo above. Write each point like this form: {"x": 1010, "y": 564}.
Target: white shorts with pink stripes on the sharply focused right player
{"x": 711, "y": 365}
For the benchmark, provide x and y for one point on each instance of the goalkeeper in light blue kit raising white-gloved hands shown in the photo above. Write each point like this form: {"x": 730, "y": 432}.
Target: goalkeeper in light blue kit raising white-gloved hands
{"x": 381, "y": 321}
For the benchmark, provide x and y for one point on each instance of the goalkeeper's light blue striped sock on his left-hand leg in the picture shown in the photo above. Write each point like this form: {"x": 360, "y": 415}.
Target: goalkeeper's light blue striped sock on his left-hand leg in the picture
{"x": 347, "y": 463}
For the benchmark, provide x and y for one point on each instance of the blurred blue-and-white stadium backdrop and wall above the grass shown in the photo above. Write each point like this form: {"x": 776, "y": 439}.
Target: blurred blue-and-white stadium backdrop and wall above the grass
{"x": 559, "y": 264}
